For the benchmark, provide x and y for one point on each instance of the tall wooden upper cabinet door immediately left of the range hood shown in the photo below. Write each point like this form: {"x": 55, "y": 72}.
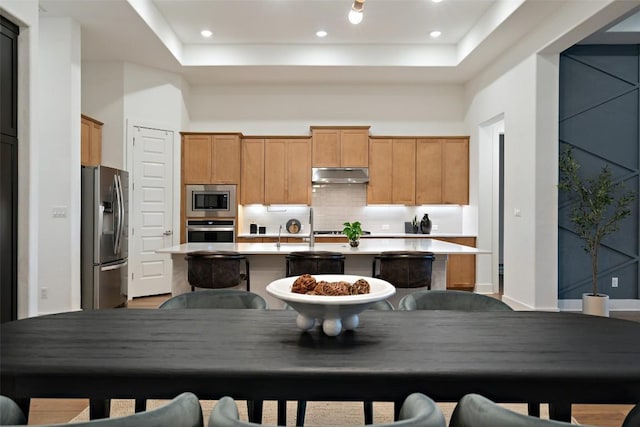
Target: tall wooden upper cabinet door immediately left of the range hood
{"x": 299, "y": 171}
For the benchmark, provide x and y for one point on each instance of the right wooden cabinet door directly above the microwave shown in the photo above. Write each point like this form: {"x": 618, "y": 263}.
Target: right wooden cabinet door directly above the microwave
{"x": 226, "y": 159}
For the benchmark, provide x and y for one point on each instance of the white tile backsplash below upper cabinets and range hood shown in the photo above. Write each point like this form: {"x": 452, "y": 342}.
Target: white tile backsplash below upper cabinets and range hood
{"x": 334, "y": 204}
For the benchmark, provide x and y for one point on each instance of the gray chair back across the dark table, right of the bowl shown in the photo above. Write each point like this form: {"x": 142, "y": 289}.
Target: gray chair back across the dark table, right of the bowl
{"x": 451, "y": 300}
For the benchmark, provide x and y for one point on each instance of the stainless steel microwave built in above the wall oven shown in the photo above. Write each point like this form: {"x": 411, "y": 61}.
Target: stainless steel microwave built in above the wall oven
{"x": 211, "y": 201}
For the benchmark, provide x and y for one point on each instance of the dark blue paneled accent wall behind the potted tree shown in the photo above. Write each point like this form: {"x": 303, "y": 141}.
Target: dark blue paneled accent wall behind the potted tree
{"x": 600, "y": 119}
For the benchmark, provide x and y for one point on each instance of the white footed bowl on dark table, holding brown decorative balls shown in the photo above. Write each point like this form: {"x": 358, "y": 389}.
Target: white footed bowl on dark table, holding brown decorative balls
{"x": 335, "y": 312}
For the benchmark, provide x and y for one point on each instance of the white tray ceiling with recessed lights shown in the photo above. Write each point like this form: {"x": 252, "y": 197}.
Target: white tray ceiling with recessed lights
{"x": 271, "y": 41}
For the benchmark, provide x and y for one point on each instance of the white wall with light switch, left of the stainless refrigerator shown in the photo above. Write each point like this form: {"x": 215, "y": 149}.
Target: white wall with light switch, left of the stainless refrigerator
{"x": 59, "y": 160}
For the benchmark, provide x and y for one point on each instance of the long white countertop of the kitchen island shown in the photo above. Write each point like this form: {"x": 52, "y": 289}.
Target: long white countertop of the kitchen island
{"x": 368, "y": 246}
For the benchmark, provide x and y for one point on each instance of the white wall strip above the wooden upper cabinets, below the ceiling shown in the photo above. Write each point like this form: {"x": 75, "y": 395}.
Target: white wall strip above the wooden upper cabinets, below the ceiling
{"x": 291, "y": 109}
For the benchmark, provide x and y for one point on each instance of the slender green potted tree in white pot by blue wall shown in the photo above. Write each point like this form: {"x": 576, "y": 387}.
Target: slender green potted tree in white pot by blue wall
{"x": 597, "y": 205}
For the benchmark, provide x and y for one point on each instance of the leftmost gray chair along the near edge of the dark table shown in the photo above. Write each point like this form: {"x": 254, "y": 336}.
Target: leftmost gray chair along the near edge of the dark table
{"x": 183, "y": 411}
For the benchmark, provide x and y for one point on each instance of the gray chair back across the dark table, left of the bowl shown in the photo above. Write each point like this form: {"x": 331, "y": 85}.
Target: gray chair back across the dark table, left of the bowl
{"x": 216, "y": 298}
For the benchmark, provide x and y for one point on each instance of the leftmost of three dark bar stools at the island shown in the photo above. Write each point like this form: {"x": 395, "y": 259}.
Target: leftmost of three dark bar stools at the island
{"x": 217, "y": 269}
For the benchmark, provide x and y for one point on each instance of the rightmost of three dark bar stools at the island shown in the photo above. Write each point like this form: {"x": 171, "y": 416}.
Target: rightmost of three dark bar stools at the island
{"x": 404, "y": 269}
